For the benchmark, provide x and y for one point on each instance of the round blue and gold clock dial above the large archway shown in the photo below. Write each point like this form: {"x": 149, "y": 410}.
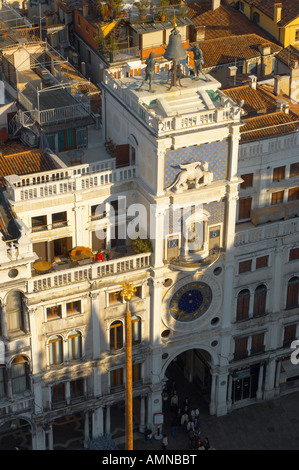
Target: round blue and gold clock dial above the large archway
{"x": 190, "y": 301}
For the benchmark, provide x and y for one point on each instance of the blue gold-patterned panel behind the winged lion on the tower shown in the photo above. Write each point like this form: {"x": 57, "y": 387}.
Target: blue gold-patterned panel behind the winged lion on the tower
{"x": 216, "y": 153}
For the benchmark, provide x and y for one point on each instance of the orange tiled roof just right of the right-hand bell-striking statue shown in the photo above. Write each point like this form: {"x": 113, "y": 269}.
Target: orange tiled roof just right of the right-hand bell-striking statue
{"x": 217, "y": 52}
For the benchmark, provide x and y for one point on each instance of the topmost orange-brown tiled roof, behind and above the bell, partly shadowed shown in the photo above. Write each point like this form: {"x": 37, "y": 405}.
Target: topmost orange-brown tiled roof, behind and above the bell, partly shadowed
{"x": 222, "y": 22}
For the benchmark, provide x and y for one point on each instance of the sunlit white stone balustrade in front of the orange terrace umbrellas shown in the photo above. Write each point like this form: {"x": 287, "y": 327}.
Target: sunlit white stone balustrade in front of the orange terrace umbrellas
{"x": 91, "y": 272}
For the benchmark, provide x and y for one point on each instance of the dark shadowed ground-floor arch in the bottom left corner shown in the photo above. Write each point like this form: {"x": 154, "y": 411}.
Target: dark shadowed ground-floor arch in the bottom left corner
{"x": 16, "y": 434}
